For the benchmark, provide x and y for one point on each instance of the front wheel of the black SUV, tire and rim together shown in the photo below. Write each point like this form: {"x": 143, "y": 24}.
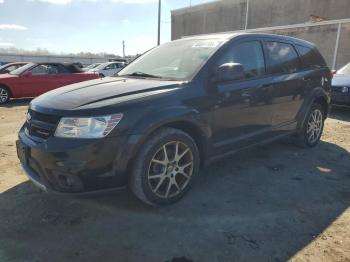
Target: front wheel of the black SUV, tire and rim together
{"x": 165, "y": 167}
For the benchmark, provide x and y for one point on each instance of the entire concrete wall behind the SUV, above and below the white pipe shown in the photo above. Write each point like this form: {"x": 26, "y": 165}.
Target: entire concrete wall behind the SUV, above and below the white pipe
{"x": 230, "y": 15}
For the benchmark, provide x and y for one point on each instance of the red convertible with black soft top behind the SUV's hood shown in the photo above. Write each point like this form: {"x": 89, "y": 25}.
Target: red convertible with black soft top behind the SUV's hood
{"x": 35, "y": 79}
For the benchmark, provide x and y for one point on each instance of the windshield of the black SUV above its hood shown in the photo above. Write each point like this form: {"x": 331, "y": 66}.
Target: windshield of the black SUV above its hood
{"x": 178, "y": 60}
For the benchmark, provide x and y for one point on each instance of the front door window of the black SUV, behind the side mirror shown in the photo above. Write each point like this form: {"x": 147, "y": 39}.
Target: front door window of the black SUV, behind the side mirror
{"x": 249, "y": 54}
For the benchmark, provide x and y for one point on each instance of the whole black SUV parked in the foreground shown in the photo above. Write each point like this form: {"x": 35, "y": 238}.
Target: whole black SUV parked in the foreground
{"x": 176, "y": 108}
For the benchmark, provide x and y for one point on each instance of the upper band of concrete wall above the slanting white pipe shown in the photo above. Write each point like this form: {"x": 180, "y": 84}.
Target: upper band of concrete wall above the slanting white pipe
{"x": 230, "y": 15}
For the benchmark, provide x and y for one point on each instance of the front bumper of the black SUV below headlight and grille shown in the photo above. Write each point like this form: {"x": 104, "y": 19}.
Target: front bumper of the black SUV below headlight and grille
{"x": 75, "y": 165}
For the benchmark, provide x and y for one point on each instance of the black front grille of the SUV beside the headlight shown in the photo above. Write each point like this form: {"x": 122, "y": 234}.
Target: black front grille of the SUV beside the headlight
{"x": 41, "y": 125}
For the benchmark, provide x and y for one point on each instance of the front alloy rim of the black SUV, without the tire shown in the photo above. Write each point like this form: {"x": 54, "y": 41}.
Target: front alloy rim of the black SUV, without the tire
{"x": 170, "y": 169}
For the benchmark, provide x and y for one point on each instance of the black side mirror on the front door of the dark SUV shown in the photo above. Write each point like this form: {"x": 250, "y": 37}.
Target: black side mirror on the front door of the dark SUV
{"x": 230, "y": 72}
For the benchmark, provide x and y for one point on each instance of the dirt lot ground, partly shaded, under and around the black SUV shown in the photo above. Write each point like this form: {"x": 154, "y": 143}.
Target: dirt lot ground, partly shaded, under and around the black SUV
{"x": 274, "y": 203}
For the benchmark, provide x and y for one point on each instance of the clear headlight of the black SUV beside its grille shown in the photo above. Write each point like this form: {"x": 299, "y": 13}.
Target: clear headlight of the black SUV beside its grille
{"x": 83, "y": 127}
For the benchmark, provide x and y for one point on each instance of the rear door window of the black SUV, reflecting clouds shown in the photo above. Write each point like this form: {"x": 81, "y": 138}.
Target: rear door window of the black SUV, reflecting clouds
{"x": 283, "y": 58}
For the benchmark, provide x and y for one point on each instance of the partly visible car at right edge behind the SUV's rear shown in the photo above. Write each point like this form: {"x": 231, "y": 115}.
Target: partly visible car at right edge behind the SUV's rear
{"x": 341, "y": 87}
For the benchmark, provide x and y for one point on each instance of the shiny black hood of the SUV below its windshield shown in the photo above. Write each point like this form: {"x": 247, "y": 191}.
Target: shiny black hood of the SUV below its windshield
{"x": 101, "y": 92}
